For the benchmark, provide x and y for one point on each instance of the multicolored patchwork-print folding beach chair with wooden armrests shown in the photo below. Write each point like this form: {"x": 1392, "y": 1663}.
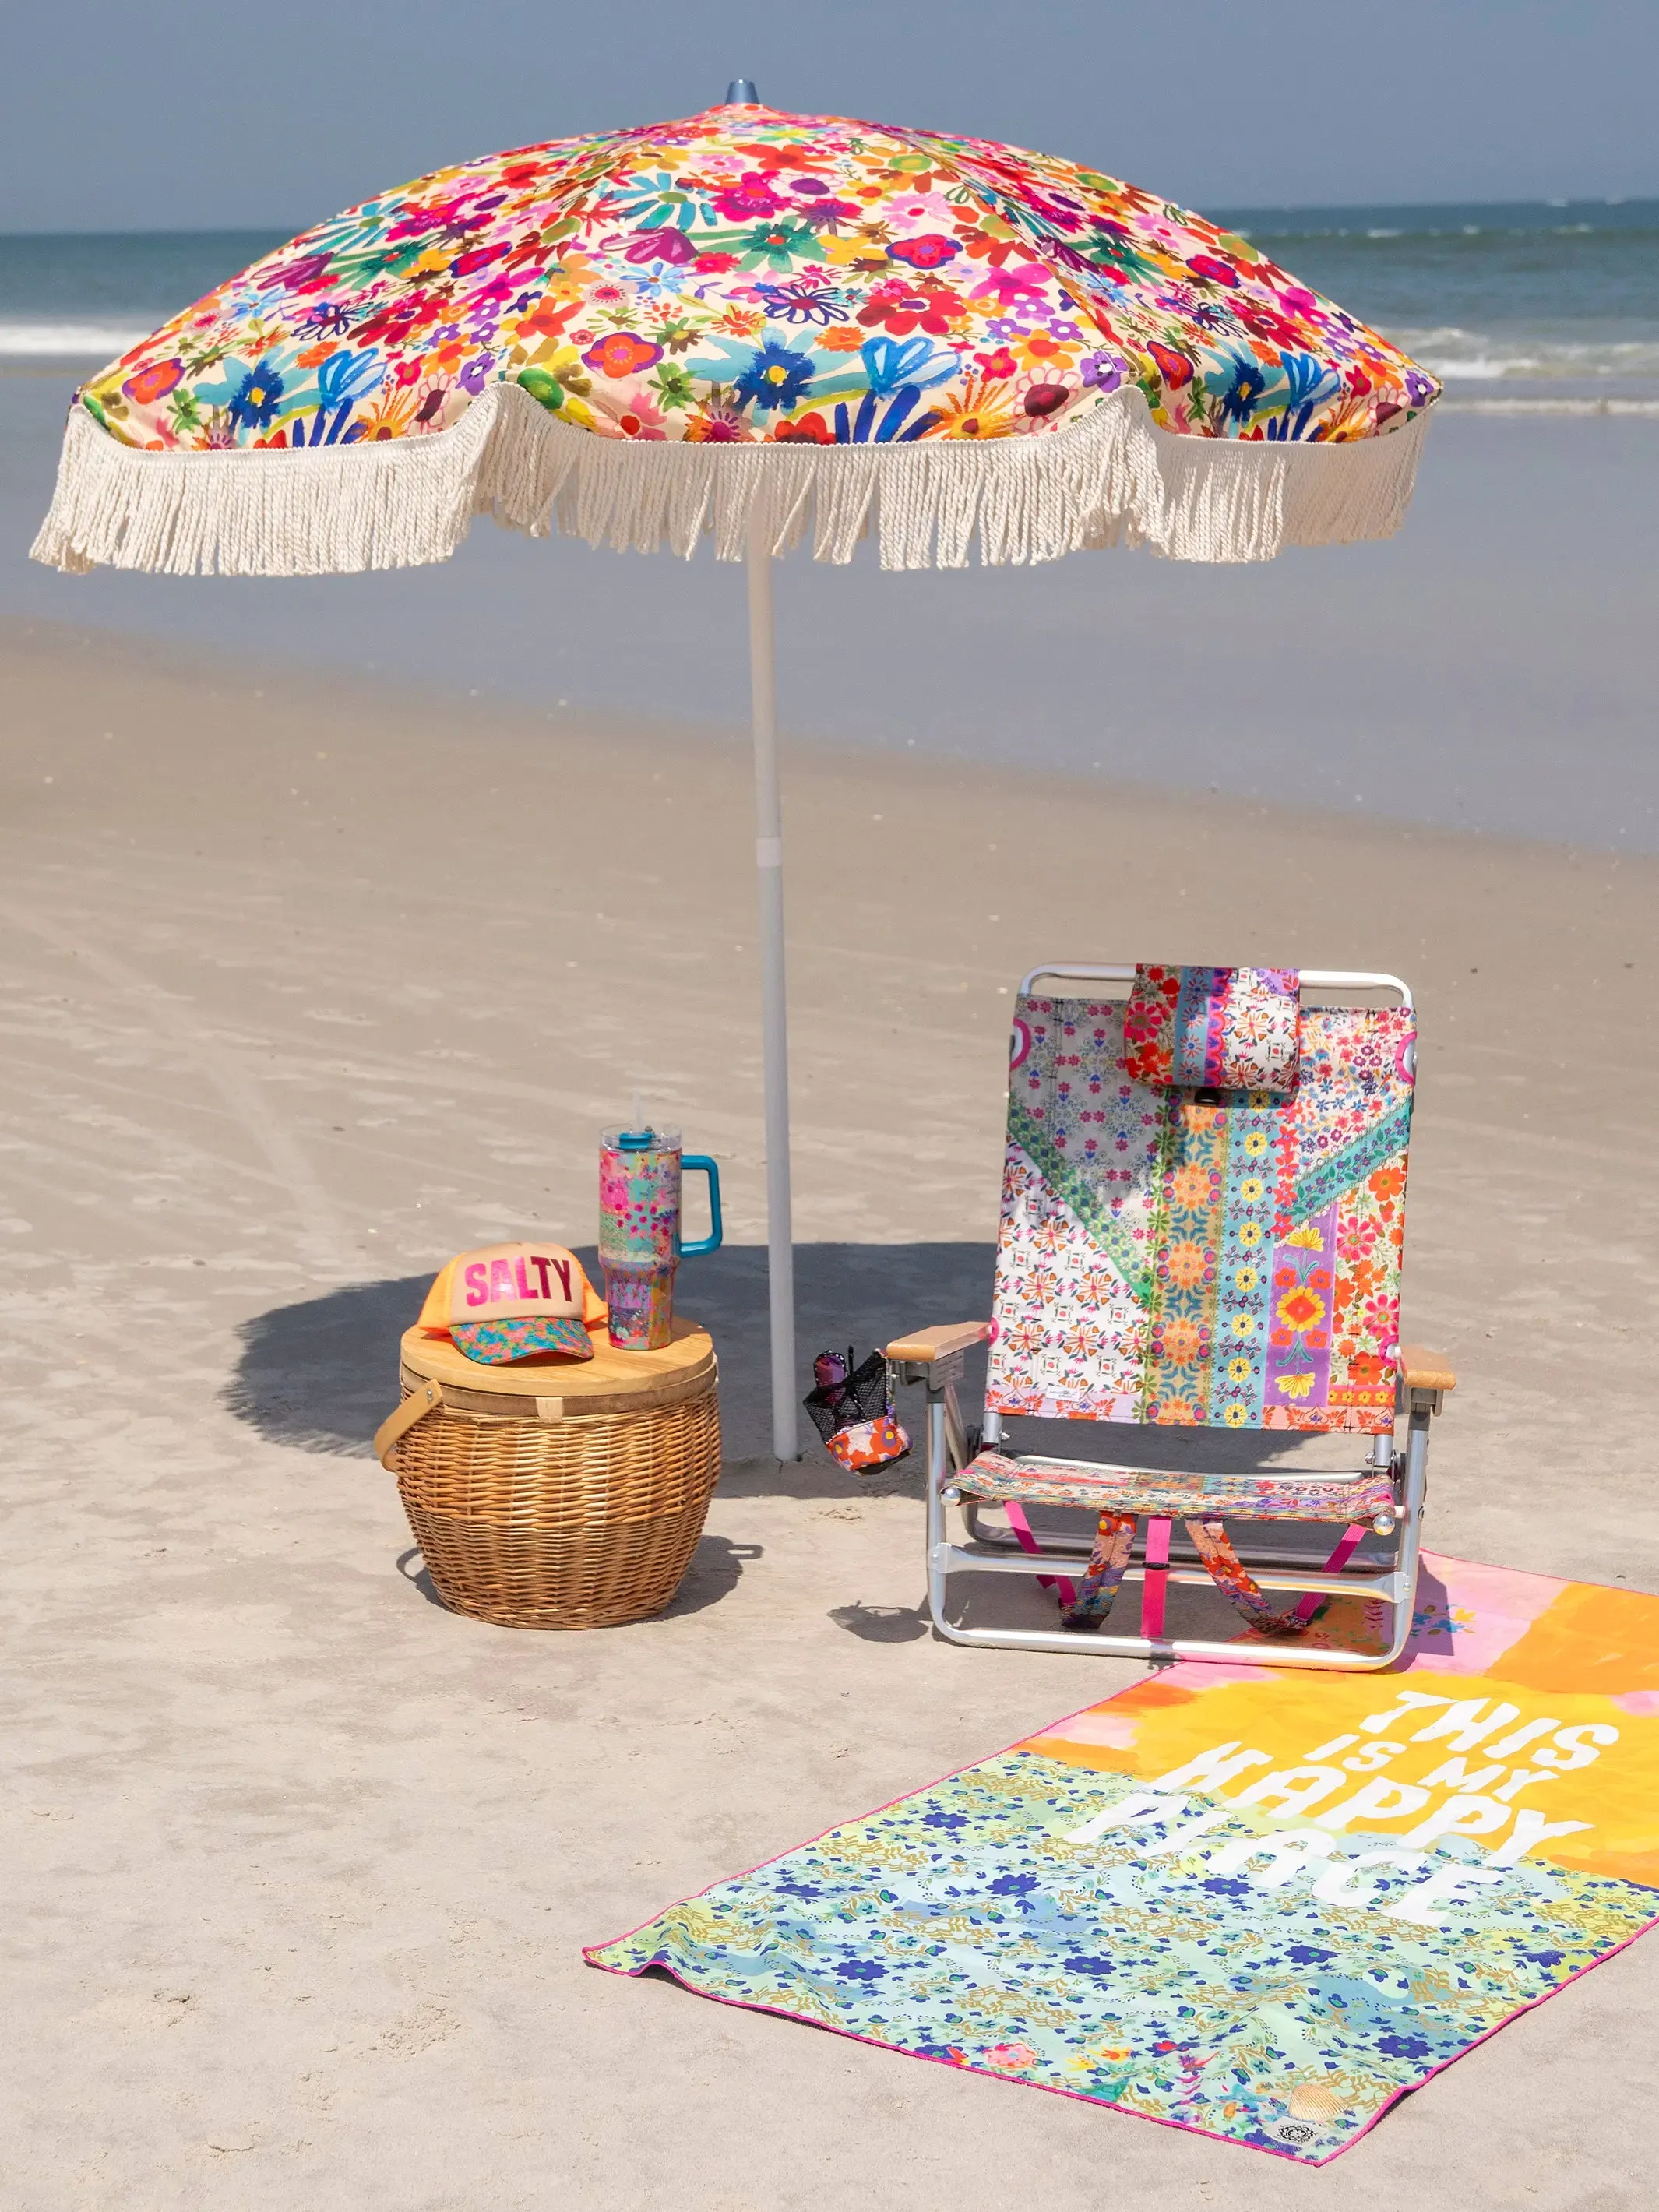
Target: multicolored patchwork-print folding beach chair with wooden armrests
{"x": 1202, "y": 1215}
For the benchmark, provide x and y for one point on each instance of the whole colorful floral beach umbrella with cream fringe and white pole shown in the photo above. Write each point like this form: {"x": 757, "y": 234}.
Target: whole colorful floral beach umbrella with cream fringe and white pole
{"x": 753, "y": 328}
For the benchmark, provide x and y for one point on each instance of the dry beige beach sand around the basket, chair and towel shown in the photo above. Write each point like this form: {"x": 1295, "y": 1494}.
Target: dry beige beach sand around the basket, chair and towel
{"x": 311, "y": 985}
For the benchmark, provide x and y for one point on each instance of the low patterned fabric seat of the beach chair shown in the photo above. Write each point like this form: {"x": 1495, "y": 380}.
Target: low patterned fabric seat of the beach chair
{"x": 1001, "y": 1479}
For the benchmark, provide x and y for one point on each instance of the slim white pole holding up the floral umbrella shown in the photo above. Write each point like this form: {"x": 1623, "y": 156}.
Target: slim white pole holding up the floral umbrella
{"x": 775, "y": 1021}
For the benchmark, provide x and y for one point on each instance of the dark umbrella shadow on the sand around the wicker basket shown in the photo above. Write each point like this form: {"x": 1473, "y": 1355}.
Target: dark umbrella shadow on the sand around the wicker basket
{"x": 324, "y": 1375}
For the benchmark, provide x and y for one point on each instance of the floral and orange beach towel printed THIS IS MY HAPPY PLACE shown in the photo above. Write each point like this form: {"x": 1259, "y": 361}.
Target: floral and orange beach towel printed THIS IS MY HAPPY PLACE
{"x": 1251, "y": 1903}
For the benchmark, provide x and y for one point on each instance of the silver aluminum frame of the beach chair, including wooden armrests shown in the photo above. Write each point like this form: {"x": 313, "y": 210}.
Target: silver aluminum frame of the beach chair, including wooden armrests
{"x": 935, "y": 1361}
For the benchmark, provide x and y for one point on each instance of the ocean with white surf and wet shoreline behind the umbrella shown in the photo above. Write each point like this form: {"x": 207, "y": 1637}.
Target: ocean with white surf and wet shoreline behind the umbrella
{"x": 1492, "y": 669}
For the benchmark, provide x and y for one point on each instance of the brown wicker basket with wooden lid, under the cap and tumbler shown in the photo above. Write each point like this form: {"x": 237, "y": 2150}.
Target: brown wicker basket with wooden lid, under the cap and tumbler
{"x": 556, "y": 1512}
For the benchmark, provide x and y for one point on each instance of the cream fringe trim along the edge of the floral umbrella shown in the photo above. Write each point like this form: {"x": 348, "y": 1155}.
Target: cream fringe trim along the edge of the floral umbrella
{"x": 1114, "y": 479}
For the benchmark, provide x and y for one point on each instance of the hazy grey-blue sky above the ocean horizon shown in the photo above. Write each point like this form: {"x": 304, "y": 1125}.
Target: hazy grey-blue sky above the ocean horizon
{"x": 198, "y": 116}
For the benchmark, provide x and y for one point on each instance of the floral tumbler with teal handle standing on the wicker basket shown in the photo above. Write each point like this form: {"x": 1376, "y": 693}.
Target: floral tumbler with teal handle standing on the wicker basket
{"x": 640, "y": 1246}
